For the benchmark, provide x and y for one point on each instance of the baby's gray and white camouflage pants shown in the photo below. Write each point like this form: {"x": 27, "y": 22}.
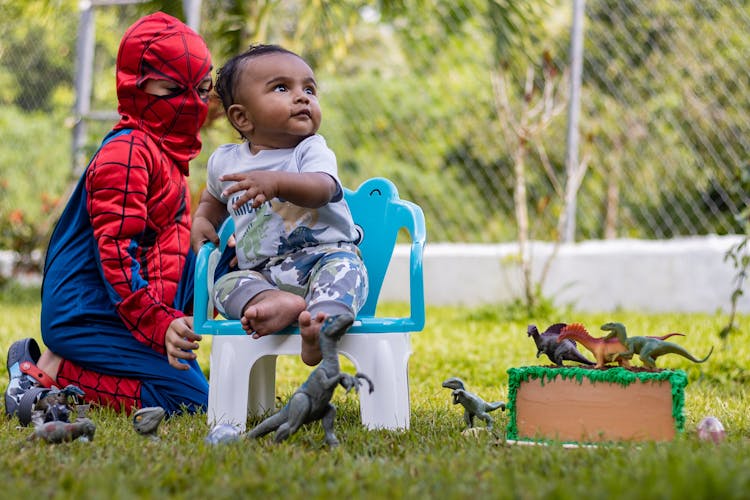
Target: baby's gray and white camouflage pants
{"x": 331, "y": 279}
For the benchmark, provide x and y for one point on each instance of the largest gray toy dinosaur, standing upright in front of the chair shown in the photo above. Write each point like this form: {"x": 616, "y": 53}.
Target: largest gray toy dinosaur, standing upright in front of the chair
{"x": 312, "y": 400}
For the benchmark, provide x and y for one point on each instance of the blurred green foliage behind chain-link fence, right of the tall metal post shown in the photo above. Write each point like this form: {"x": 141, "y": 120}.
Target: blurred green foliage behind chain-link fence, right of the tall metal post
{"x": 676, "y": 137}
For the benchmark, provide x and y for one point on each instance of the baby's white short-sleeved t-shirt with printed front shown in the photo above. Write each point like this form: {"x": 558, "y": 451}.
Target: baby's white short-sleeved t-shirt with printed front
{"x": 279, "y": 227}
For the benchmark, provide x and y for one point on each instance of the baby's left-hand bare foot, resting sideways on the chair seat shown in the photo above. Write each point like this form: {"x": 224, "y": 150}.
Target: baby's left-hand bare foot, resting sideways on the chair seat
{"x": 271, "y": 311}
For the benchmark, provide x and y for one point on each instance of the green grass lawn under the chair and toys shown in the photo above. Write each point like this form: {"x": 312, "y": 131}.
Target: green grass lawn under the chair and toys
{"x": 431, "y": 460}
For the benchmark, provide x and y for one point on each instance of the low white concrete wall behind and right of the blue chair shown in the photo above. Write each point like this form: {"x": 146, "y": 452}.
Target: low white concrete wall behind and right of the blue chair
{"x": 680, "y": 275}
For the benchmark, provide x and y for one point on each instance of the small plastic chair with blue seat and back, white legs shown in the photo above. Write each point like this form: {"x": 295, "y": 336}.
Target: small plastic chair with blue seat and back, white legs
{"x": 243, "y": 369}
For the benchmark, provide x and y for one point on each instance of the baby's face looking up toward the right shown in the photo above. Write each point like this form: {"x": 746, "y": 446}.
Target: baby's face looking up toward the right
{"x": 277, "y": 96}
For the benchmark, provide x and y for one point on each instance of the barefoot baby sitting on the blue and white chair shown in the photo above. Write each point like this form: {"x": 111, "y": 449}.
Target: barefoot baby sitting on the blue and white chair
{"x": 295, "y": 238}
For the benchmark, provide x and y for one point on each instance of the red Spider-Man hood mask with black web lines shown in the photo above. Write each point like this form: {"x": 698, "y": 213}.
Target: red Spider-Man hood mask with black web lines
{"x": 161, "y": 47}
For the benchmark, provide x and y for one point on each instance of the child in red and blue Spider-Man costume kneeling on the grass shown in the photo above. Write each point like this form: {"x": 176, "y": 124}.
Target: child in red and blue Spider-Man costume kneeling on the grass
{"x": 118, "y": 270}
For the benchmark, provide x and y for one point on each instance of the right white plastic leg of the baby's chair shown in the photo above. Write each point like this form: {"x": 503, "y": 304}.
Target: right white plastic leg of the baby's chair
{"x": 384, "y": 358}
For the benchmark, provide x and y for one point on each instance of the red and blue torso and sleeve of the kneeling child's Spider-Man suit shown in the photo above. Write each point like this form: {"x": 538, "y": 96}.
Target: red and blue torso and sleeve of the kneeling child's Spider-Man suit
{"x": 119, "y": 248}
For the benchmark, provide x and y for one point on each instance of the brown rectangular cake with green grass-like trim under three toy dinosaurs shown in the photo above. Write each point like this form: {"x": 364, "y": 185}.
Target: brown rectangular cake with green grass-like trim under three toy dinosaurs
{"x": 583, "y": 406}
